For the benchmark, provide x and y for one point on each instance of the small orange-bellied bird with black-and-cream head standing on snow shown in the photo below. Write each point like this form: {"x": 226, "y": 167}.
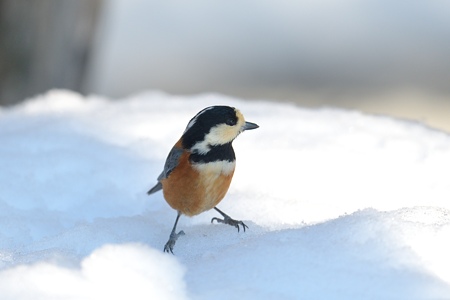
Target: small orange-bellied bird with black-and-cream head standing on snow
{"x": 198, "y": 170}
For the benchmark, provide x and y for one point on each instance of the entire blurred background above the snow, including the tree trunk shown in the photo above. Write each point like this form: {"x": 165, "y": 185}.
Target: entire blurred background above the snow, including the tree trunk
{"x": 377, "y": 56}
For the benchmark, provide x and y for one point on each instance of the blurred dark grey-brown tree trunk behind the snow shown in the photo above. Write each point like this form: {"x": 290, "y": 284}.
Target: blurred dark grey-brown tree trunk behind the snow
{"x": 44, "y": 44}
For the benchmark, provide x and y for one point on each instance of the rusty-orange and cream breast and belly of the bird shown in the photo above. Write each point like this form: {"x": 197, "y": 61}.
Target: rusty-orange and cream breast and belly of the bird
{"x": 192, "y": 190}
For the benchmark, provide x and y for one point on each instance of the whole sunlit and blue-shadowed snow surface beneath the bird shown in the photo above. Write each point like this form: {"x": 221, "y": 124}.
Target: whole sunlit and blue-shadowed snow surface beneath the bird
{"x": 339, "y": 205}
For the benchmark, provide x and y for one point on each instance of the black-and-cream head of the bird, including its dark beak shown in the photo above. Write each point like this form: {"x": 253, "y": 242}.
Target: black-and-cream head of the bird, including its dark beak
{"x": 213, "y": 126}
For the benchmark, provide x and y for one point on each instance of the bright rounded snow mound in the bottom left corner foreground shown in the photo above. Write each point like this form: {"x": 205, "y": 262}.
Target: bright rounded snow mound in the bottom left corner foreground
{"x": 111, "y": 272}
